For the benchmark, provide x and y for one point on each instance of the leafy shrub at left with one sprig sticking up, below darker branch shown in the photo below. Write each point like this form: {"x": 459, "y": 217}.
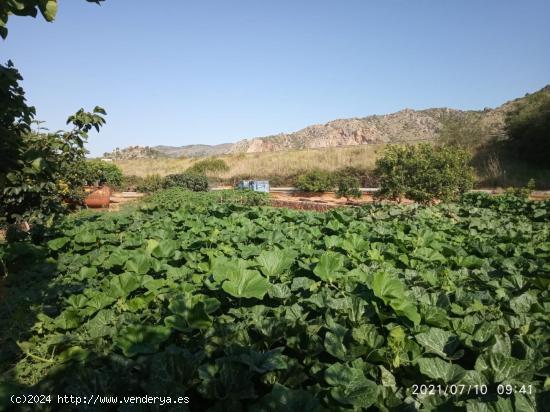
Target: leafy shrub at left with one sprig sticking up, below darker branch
{"x": 50, "y": 170}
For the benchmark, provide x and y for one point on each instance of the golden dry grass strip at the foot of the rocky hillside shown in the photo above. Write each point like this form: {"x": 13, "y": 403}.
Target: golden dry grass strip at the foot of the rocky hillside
{"x": 283, "y": 164}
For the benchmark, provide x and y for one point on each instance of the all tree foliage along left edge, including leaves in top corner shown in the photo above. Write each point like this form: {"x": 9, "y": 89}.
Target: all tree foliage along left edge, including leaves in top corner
{"x": 37, "y": 171}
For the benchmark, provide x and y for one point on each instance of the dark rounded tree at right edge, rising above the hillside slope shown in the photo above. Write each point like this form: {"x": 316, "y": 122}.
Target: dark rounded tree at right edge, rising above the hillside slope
{"x": 528, "y": 127}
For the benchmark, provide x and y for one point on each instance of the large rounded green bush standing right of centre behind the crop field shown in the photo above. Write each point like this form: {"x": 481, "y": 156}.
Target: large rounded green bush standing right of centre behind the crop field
{"x": 424, "y": 172}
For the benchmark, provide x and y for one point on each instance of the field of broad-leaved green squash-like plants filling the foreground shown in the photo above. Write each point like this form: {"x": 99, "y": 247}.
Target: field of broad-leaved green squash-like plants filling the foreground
{"x": 252, "y": 308}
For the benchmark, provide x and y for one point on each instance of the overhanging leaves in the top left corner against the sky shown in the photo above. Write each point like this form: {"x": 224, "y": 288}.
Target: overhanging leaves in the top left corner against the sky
{"x": 47, "y": 8}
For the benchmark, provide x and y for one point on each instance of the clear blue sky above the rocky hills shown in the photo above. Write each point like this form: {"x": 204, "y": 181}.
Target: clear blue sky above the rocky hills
{"x": 185, "y": 72}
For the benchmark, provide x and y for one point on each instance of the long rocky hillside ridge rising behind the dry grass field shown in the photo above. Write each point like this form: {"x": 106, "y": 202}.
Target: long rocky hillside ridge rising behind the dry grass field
{"x": 404, "y": 126}
